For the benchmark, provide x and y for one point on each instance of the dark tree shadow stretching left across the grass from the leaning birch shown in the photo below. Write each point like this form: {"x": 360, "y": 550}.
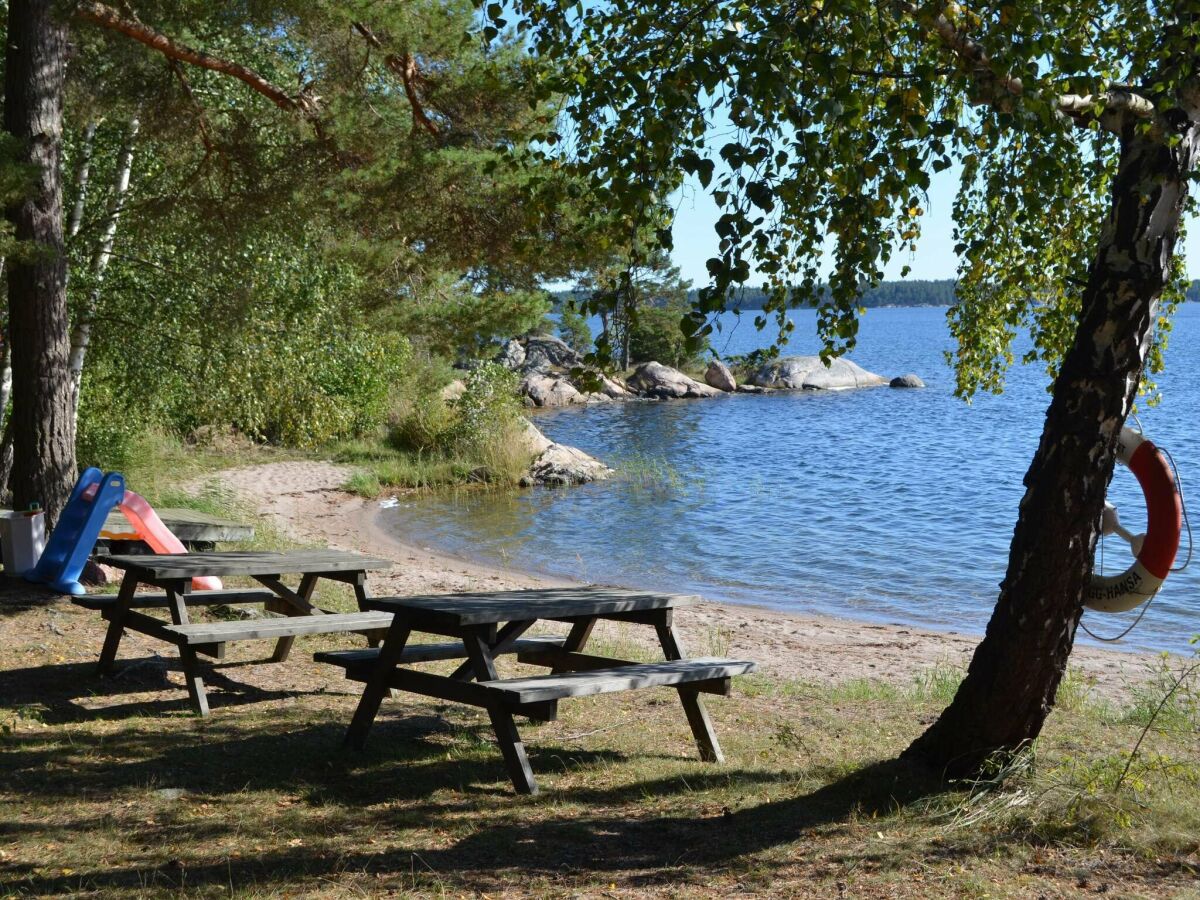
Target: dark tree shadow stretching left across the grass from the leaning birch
{"x": 409, "y": 781}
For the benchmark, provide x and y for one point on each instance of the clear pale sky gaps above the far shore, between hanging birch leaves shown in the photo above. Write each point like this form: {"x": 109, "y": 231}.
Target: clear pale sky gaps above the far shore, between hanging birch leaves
{"x": 695, "y": 241}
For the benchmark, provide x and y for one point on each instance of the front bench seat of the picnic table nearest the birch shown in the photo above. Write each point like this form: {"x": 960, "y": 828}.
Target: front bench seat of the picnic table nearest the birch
{"x": 621, "y": 679}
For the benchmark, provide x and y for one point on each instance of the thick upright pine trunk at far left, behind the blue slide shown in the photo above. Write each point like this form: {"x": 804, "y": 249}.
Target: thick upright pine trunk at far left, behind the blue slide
{"x": 44, "y": 434}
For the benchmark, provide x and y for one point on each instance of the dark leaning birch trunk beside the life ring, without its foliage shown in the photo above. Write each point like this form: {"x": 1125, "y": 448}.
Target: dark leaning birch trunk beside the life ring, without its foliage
{"x": 1015, "y": 674}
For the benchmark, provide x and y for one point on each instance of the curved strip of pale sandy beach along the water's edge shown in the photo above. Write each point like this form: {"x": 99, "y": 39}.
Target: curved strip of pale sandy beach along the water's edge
{"x": 787, "y": 645}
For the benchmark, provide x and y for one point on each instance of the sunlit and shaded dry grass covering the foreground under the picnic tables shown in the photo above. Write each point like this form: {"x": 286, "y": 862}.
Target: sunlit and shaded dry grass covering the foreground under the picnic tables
{"x": 110, "y": 788}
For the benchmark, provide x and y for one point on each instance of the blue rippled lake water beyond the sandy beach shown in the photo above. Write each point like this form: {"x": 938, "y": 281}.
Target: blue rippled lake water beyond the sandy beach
{"x": 877, "y": 505}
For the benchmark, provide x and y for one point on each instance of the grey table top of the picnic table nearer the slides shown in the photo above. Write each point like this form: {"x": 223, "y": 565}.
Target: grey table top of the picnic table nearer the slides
{"x": 164, "y": 567}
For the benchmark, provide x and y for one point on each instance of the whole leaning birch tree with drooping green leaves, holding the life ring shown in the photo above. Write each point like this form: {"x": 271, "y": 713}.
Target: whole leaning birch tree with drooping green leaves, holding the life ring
{"x": 819, "y": 125}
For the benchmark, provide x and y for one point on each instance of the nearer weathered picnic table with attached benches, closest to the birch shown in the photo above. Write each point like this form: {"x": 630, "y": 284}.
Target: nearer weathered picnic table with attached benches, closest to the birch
{"x": 490, "y": 625}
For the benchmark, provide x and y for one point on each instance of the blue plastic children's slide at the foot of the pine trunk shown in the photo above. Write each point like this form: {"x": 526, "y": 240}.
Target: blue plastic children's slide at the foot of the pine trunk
{"x": 74, "y": 538}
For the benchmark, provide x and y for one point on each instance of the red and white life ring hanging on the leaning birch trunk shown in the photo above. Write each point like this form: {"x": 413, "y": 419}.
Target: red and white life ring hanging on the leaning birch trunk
{"x": 1156, "y": 550}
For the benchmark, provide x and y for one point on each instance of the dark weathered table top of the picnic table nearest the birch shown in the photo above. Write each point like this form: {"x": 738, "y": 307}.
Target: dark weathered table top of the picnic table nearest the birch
{"x": 481, "y": 609}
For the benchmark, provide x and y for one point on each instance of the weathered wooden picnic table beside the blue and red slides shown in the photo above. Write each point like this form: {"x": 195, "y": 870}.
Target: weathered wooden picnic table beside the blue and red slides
{"x": 293, "y": 613}
